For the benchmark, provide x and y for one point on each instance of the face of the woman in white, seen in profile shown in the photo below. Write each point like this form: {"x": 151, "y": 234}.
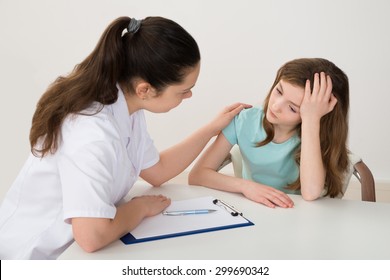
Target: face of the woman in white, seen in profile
{"x": 173, "y": 95}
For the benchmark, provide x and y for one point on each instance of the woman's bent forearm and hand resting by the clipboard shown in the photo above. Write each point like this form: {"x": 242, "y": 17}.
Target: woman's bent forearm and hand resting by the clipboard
{"x": 93, "y": 234}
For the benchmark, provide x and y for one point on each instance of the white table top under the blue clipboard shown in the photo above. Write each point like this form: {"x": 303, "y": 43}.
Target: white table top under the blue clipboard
{"x": 323, "y": 229}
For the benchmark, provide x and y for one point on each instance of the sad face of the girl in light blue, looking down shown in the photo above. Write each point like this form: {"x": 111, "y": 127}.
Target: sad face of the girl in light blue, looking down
{"x": 284, "y": 104}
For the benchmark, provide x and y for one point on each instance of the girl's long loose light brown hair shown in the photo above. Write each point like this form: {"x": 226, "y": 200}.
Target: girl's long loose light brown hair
{"x": 333, "y": 126}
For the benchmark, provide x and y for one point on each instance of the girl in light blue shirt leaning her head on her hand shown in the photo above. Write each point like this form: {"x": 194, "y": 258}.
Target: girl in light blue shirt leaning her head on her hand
{"x": 296, "y": 143}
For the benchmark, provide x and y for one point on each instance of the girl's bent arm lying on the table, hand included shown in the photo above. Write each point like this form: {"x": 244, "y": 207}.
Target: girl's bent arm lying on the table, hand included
{"x": 204, "y": 173}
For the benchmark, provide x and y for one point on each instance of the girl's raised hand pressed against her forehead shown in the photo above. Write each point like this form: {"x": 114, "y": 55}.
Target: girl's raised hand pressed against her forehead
{"x": 320, "y": 101}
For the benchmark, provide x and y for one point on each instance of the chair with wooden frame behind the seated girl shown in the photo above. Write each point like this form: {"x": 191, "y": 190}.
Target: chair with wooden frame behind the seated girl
{"x": 357, "y": 168}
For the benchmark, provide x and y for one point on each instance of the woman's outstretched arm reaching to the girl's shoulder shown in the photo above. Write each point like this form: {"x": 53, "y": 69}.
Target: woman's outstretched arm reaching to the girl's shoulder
{"x": 174, "y": 160}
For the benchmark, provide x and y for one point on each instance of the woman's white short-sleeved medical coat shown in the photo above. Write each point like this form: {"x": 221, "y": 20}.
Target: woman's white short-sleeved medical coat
{"x": 98, "y": 161}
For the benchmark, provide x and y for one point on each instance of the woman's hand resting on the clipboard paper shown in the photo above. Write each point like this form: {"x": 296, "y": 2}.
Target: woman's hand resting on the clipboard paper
{"x": 152, "y": 204}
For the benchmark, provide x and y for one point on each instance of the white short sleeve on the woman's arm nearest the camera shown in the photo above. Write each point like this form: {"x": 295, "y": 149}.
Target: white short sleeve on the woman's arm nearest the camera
{"x": 86, "y": 161}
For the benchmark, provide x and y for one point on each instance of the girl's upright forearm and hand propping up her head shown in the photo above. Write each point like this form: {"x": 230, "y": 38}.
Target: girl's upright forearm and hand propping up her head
{"x": 314, "y": 106}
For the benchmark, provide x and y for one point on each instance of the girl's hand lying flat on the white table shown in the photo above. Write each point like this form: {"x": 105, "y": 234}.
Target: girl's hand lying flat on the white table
{"x": 266, "y": 195}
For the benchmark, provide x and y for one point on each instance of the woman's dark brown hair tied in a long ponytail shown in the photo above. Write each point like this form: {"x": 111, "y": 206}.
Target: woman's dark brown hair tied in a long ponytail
{"x": 160, "y": 52}
